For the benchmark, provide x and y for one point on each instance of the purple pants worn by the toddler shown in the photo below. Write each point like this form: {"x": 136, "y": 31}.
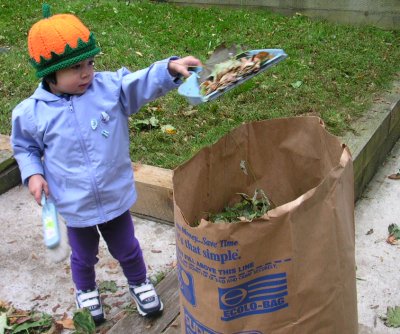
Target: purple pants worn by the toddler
{"x": 120, "y": 238}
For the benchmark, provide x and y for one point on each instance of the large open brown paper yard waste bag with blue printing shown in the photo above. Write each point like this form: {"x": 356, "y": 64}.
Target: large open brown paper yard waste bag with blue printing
{"x": 290, "y": 271}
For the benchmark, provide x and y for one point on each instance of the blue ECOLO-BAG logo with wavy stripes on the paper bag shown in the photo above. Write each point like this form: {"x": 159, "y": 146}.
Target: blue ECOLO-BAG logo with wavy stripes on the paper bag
{"x": 265, "y": 294}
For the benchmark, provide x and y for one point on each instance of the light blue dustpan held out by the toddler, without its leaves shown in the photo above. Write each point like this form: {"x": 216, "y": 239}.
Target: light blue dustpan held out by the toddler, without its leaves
{"x": 190, "y": 89}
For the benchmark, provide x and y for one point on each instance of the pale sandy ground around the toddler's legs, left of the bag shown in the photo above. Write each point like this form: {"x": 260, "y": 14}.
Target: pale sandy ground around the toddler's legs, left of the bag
{"x": 30, "y": 278}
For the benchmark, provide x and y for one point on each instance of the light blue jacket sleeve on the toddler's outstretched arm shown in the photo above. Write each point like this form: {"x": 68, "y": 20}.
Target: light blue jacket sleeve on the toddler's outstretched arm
{"x": 143, "y": 86}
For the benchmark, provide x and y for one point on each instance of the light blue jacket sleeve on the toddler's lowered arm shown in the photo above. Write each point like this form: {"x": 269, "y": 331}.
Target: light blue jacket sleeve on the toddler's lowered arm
{"x": 26, "y": 145}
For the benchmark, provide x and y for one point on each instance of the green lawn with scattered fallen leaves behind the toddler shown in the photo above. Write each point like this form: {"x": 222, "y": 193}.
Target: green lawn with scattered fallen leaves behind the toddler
{"x": 333, "y": 71}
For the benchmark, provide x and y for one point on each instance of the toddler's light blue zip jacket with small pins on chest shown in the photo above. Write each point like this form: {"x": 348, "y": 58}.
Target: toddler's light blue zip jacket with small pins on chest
{"x": 81, "y": 143}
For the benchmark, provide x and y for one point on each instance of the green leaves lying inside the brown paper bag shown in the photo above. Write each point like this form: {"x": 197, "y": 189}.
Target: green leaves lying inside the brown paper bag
{"x": 247, "y": 209}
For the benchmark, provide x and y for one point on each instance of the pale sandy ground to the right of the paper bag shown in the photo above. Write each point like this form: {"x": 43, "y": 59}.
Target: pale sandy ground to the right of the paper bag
{"x": 378, "y": 283}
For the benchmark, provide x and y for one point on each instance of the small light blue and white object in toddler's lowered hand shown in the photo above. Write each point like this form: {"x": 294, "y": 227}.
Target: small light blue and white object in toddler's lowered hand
{"x": 51, "y": 230}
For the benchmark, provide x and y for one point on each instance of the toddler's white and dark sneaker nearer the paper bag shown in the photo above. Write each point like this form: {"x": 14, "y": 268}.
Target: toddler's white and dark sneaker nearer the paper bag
{"x": 146, "y": 298}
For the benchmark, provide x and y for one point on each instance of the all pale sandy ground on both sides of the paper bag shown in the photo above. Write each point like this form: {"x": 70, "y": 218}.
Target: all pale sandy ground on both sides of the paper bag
{"x": 29, "y": 280}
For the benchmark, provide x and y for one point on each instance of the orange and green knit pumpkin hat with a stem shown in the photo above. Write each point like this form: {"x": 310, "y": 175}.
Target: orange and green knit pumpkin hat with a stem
{"x": 59, "y": 41}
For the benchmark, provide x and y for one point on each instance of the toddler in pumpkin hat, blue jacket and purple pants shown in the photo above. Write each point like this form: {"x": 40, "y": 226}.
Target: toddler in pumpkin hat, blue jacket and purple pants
{"x": 71, "y": 141}
